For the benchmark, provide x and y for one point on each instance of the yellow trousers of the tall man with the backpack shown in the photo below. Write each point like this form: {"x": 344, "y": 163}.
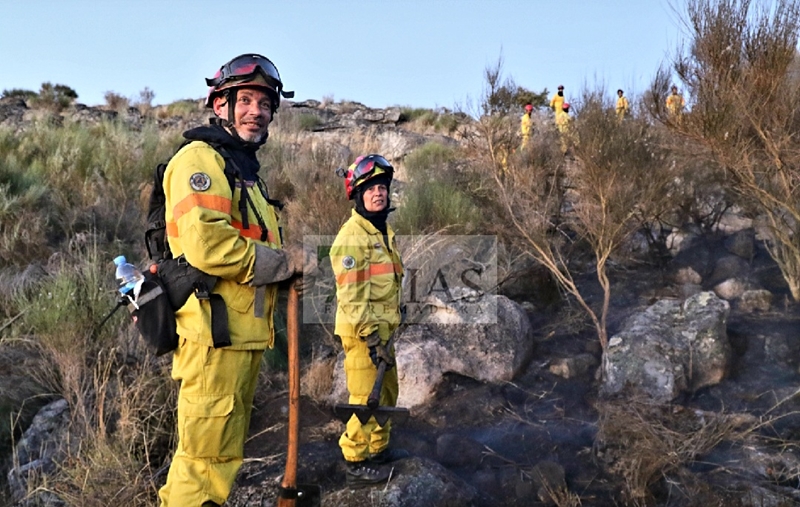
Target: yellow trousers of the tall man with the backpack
{"x": 214, "y": 405}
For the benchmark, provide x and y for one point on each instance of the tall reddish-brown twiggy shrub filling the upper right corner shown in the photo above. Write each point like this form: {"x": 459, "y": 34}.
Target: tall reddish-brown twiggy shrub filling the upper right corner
{"x": 739, "y": 70}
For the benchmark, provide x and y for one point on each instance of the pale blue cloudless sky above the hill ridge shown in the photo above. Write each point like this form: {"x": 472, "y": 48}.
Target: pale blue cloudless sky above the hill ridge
{"x": 419, "y": 53}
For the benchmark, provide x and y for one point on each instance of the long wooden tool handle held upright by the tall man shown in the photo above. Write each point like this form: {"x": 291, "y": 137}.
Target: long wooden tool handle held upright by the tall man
{"x": 290, "y": 474}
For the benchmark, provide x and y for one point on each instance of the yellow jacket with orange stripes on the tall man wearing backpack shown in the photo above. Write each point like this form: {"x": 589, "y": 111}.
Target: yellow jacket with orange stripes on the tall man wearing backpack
{"x": 205, "y": 226}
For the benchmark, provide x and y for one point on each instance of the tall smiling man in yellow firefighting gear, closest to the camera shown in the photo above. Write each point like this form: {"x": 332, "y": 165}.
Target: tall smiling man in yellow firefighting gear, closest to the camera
{"x": 220, "y": 220}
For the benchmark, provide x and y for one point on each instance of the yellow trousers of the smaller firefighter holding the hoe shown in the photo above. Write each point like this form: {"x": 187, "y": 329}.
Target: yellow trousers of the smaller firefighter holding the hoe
{"x": 359, "y": 441}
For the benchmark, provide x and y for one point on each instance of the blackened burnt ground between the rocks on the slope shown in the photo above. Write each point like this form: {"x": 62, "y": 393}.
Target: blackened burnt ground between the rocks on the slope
{"x": 493, "y": 435}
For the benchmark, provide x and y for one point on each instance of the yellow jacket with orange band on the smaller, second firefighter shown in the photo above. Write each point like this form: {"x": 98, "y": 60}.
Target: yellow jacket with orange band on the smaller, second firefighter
{"x": 368, "y": 280}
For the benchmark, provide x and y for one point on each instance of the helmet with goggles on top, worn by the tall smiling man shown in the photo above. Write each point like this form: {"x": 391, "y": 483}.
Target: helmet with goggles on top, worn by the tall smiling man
{"x": 248, "y": 70}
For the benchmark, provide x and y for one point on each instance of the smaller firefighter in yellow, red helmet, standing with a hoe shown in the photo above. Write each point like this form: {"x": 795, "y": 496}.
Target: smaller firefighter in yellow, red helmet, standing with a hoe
{"x": 369, "y": 273}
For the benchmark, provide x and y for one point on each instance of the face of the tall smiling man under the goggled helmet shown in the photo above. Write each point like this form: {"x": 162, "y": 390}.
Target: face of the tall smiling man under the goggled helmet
{"x": 252, "y": 113}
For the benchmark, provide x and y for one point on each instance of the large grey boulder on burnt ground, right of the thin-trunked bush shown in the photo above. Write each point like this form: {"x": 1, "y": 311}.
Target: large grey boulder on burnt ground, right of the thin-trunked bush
{"x": 670, "y": 348}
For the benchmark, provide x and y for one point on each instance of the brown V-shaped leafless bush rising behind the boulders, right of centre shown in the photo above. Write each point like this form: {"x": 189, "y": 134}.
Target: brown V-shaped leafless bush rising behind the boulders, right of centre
{"x": 617, "y": 179}
